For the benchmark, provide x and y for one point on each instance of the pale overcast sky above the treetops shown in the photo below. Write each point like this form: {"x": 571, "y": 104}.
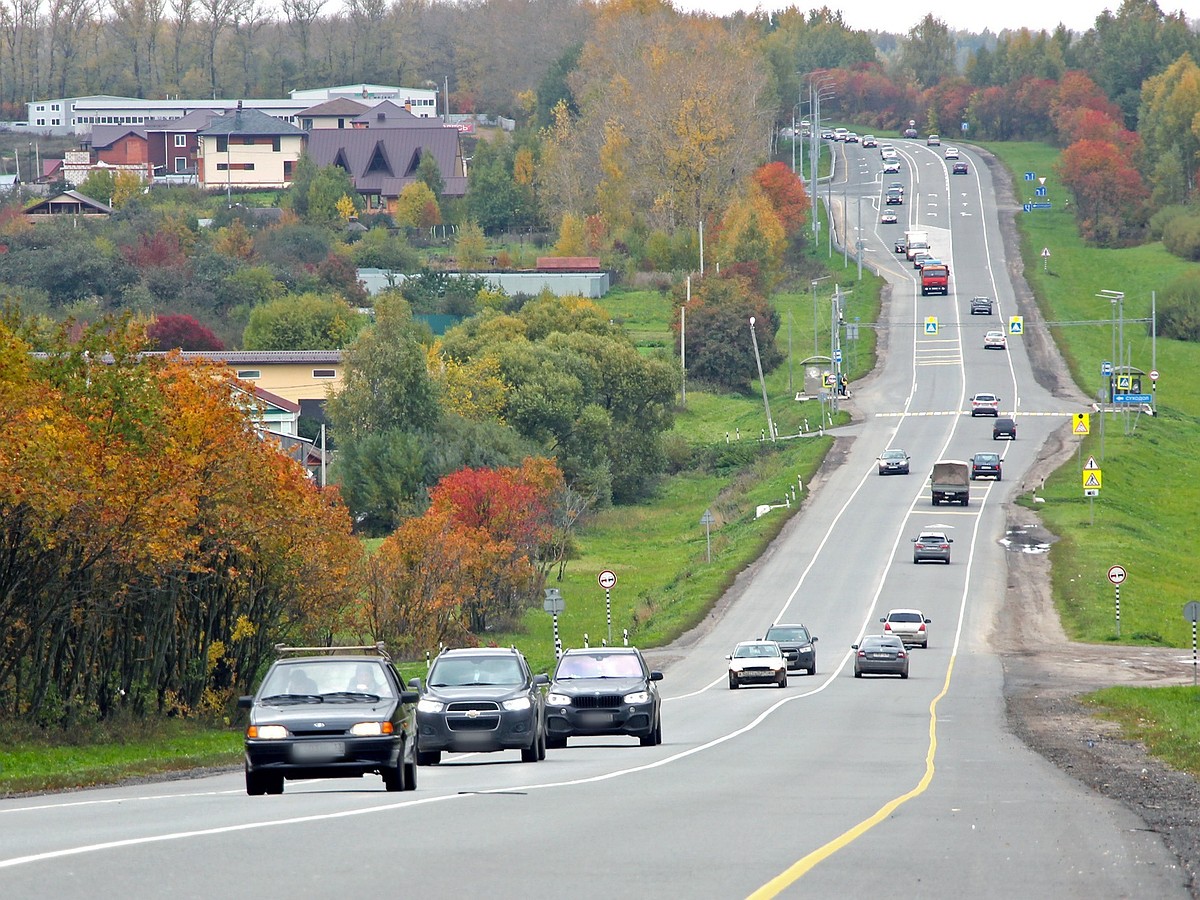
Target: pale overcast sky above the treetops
{"x": 959, "y": 15}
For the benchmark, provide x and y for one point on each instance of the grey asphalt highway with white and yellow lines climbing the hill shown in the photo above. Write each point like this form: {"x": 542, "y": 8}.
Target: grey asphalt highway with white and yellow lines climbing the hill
{"x": 831, "y": 788}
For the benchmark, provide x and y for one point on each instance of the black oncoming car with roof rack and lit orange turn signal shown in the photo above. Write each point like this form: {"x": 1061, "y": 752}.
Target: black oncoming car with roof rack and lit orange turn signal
{"x": 341, "y": 716}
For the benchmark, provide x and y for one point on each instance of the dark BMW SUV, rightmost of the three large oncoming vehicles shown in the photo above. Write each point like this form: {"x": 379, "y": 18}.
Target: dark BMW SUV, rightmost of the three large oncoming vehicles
{"x": 604, "y": 691}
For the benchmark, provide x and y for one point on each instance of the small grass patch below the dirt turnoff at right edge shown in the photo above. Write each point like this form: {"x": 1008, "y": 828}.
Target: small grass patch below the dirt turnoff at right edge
{"x": 1165, "y": 719}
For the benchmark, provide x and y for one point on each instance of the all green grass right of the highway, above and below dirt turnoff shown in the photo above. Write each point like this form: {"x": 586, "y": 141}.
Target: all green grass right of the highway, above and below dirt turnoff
{"x": 1145, "y": 514}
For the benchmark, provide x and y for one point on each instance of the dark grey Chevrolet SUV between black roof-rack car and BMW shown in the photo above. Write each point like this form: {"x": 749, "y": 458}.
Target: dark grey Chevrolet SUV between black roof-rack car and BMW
{"x": 481, "y": 700}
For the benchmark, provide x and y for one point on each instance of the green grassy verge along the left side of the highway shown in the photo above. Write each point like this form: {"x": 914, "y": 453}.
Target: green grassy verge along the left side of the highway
{"x": 658, "y": 548}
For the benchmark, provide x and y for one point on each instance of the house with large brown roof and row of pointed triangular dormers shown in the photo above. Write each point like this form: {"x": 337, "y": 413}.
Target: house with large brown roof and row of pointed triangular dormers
{"x": 382, "y": 161}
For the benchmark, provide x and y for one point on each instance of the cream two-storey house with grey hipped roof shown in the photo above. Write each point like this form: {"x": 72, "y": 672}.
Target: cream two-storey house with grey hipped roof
{"x": 249, "y": 151}
